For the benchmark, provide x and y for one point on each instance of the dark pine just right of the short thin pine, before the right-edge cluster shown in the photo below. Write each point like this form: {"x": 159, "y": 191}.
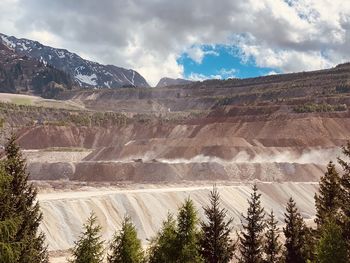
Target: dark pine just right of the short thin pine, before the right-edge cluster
{"x": 295, "y": 234}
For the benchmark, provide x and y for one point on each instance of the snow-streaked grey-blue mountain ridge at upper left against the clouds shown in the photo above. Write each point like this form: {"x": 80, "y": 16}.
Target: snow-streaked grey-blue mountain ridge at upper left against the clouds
{"x": 86, "y": 73}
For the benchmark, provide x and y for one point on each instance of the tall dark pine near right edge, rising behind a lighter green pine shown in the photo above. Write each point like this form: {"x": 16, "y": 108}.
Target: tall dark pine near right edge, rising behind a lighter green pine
{"x": 327, "y": 201}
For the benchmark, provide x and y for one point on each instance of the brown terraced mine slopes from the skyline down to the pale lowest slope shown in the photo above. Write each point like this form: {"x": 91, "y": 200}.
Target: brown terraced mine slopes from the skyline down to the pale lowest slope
{"x": 212, "y": 130}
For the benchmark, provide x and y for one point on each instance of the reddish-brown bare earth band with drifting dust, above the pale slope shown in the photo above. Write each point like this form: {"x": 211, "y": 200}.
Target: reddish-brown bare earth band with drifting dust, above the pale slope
{"x": 275, "y": 147}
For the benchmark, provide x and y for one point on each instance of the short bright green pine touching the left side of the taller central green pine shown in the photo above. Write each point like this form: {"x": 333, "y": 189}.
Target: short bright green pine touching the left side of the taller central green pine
{"x": 163, "y": 246}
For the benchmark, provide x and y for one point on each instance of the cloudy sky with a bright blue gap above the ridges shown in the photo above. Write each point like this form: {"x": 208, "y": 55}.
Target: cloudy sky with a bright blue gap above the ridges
{"x": 195, "y": 39}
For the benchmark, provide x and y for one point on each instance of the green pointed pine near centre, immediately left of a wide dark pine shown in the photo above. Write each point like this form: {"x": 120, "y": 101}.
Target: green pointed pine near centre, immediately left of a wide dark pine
{"x": 187, "y": 234}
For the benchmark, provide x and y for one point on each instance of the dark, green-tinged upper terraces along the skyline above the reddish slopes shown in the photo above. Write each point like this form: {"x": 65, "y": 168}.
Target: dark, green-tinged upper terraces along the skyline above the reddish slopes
{"x": 329, "y": 86}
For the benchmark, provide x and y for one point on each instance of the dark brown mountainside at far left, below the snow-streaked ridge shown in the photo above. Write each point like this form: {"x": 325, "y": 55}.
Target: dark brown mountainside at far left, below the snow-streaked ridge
{"x": 22, "y": 74}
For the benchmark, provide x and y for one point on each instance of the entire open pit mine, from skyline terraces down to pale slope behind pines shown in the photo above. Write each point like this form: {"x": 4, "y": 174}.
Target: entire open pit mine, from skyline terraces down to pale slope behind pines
{"x": 142, "y": 151}
